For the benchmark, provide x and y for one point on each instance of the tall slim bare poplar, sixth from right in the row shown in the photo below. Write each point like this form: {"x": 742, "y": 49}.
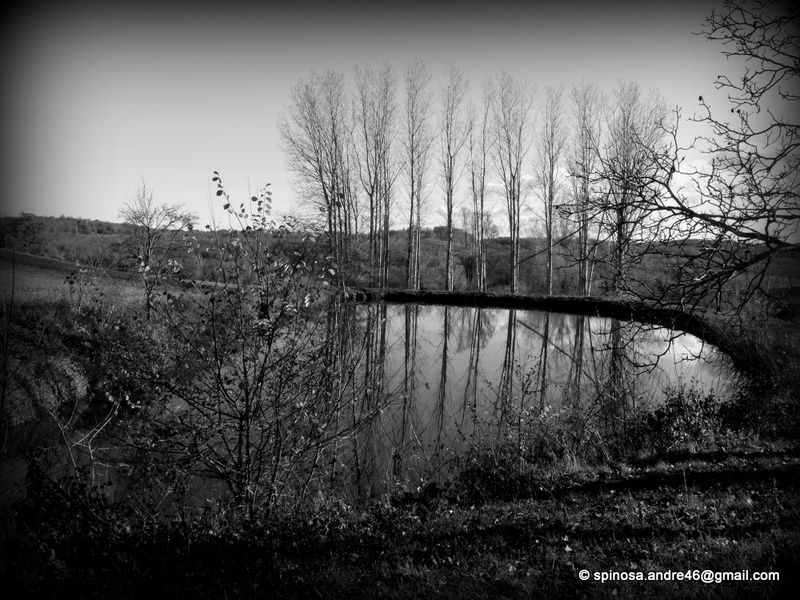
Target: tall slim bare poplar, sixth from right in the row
{"x": 454, "y": 136}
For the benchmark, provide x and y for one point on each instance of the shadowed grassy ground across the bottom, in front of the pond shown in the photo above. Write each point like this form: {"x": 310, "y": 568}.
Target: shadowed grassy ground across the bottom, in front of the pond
{"x": 481, "y": 536}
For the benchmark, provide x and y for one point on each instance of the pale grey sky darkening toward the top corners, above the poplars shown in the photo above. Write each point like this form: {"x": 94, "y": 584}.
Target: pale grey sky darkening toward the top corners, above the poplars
{"x": 101, "y": 97}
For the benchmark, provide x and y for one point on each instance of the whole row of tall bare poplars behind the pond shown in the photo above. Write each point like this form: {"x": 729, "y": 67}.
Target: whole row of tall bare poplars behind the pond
{"x": 389, "y": 147}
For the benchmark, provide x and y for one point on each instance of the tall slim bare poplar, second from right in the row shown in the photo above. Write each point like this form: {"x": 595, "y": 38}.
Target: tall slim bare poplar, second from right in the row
{"x": 583, "y": 164}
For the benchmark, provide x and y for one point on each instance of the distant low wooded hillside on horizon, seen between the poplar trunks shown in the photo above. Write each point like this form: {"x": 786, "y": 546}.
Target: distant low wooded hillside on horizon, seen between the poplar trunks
{"x": 191, "y": 257}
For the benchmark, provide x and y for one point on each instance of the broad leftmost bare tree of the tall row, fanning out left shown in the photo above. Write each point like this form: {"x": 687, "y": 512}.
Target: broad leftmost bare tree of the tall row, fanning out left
{"x": 315, "y": 136}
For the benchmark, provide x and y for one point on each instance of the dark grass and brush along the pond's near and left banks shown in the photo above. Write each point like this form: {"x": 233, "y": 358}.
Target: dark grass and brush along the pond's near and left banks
{"x": 696, "y": 484}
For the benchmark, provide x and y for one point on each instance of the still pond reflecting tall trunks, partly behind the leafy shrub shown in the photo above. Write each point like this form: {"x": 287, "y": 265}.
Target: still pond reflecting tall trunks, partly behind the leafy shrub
{"x": 390, "y": 397}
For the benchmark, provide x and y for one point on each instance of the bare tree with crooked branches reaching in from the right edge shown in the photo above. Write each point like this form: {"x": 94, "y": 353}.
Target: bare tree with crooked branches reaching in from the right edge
{"x": 729, "y": 219}
